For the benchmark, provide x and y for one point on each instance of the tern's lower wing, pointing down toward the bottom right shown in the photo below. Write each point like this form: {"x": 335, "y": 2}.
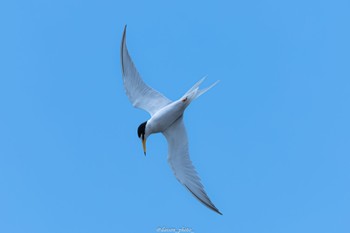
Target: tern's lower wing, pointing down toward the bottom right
{"x": 180, "y": 163}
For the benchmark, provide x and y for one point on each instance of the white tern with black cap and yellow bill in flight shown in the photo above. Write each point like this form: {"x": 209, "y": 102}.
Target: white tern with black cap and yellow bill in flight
{"x": 166, "y": 118}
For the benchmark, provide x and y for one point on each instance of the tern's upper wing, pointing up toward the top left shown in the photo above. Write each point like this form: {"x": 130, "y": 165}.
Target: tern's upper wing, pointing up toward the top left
{"x": 140, "y": 94}
